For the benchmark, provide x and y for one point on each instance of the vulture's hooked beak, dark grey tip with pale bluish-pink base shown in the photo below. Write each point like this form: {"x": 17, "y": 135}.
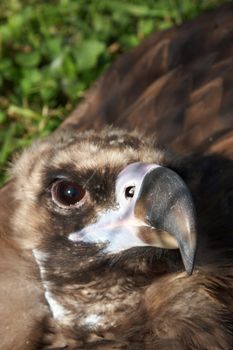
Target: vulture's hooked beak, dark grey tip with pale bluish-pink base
{"x": 159, "y": 212}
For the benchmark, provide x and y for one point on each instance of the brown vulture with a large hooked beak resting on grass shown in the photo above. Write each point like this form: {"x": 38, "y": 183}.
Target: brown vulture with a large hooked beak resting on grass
{"x": 117, "y": 230}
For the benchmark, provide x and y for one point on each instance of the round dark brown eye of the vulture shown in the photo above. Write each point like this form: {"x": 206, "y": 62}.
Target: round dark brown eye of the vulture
{"x": 67, "y": 193}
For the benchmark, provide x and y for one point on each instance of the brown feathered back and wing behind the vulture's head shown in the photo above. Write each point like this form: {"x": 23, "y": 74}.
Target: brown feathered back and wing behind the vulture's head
{"x": 176, "y": 84}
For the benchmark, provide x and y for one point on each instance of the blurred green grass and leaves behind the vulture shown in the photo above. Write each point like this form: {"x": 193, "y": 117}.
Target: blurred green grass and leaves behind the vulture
{"x": 51, "y": 51}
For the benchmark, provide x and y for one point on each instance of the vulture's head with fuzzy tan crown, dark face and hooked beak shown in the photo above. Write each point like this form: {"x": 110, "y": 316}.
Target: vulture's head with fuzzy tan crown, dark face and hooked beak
{"x": 104, "y": 215}
